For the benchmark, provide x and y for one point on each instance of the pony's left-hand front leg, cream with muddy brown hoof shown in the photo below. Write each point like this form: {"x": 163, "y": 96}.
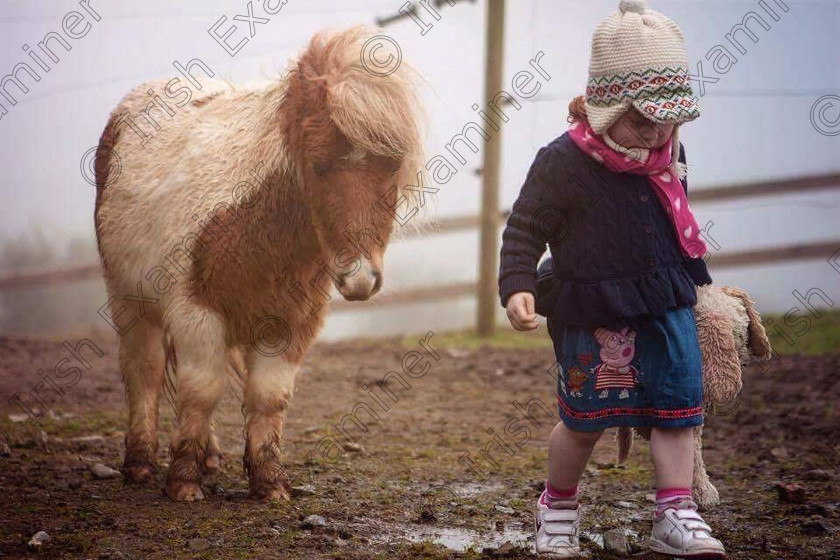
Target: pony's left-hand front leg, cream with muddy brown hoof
{"x": 198, "y": 337}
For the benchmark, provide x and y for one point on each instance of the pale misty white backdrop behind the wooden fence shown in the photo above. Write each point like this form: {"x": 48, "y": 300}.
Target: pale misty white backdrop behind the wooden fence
{"x": 755, "y": 121}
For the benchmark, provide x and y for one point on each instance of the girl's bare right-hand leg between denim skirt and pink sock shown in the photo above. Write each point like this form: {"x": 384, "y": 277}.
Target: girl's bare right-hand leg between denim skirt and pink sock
{"x": 672, "y": 452}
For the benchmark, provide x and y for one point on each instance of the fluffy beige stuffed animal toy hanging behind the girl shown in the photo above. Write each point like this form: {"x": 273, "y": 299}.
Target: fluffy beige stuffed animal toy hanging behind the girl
{"x": 731, "y": 336}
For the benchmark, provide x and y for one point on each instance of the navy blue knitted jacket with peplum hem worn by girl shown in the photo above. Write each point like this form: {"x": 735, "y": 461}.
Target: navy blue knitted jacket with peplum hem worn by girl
{"x": 614, "y": 252}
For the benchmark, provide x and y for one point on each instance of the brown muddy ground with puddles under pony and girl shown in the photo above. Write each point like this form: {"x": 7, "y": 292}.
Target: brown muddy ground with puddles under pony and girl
{"x": 403, "y": 493}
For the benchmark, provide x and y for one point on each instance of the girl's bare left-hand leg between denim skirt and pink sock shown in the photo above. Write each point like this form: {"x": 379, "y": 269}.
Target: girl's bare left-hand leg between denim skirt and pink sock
{"x": 568, "y": 453}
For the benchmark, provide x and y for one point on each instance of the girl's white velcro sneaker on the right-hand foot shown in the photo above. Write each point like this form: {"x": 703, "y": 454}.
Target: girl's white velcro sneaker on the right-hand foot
{"x": 682, "y": 532}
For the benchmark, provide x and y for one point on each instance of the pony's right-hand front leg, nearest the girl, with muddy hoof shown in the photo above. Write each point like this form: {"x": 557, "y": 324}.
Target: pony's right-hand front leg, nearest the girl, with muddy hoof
{"x": 268, "y": 391}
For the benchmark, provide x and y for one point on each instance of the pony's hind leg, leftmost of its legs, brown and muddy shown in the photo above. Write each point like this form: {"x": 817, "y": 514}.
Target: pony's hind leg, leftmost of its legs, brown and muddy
{"x": 142, "y": 363}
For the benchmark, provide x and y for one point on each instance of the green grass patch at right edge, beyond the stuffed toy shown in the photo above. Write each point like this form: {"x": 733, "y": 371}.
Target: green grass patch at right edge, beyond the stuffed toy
{"x": 821, "y": 337}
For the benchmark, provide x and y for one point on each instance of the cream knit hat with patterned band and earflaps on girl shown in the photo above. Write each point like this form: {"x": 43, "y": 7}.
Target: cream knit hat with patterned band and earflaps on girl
{"x": 638, "y": 59}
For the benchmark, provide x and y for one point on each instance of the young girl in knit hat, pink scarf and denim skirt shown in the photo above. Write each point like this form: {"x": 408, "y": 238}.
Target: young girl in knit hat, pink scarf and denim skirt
{"x": 609, "y": 198}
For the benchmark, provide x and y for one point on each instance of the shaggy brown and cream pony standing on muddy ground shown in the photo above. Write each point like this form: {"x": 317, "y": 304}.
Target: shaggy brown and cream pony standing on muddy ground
{"x": 244, "y": 205}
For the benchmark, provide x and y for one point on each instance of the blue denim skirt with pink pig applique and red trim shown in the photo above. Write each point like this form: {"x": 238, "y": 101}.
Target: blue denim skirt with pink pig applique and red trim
{"x": 646, "y": 374}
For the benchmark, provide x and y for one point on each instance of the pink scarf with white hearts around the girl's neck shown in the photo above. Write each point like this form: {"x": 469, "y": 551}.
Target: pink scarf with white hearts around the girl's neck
{"x": 662, "y": 177}
